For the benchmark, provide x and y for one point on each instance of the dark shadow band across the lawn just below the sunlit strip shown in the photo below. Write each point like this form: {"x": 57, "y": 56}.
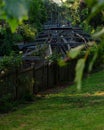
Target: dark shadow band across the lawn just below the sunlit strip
{"x": 61, "y": 102}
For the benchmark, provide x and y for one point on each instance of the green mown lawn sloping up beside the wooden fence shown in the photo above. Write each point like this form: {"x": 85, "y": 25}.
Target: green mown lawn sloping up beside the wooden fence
{"x": 66, "y": 110}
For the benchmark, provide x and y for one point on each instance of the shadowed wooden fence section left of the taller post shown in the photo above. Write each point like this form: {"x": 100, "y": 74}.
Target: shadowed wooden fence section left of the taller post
{"x": 17, "y": 83}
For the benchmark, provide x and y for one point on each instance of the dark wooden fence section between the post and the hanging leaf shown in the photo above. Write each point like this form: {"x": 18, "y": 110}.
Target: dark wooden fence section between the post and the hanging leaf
{"x": 48, "y": 76}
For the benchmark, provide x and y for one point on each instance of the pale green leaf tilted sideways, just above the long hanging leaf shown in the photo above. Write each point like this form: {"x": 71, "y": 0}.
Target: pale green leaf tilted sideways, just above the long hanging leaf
{"x": 75, "y": 52}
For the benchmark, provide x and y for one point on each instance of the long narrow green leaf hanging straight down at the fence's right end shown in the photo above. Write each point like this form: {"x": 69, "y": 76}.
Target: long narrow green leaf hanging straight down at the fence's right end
{"x": 79, "y": 72}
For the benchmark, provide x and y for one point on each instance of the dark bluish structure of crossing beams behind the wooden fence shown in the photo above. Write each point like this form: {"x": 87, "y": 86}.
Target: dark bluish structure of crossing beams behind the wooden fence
{"x": 55, "y": 38}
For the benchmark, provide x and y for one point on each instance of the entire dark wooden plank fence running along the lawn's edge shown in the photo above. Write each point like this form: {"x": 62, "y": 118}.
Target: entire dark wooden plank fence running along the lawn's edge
{"x": 35, "y": 79}
